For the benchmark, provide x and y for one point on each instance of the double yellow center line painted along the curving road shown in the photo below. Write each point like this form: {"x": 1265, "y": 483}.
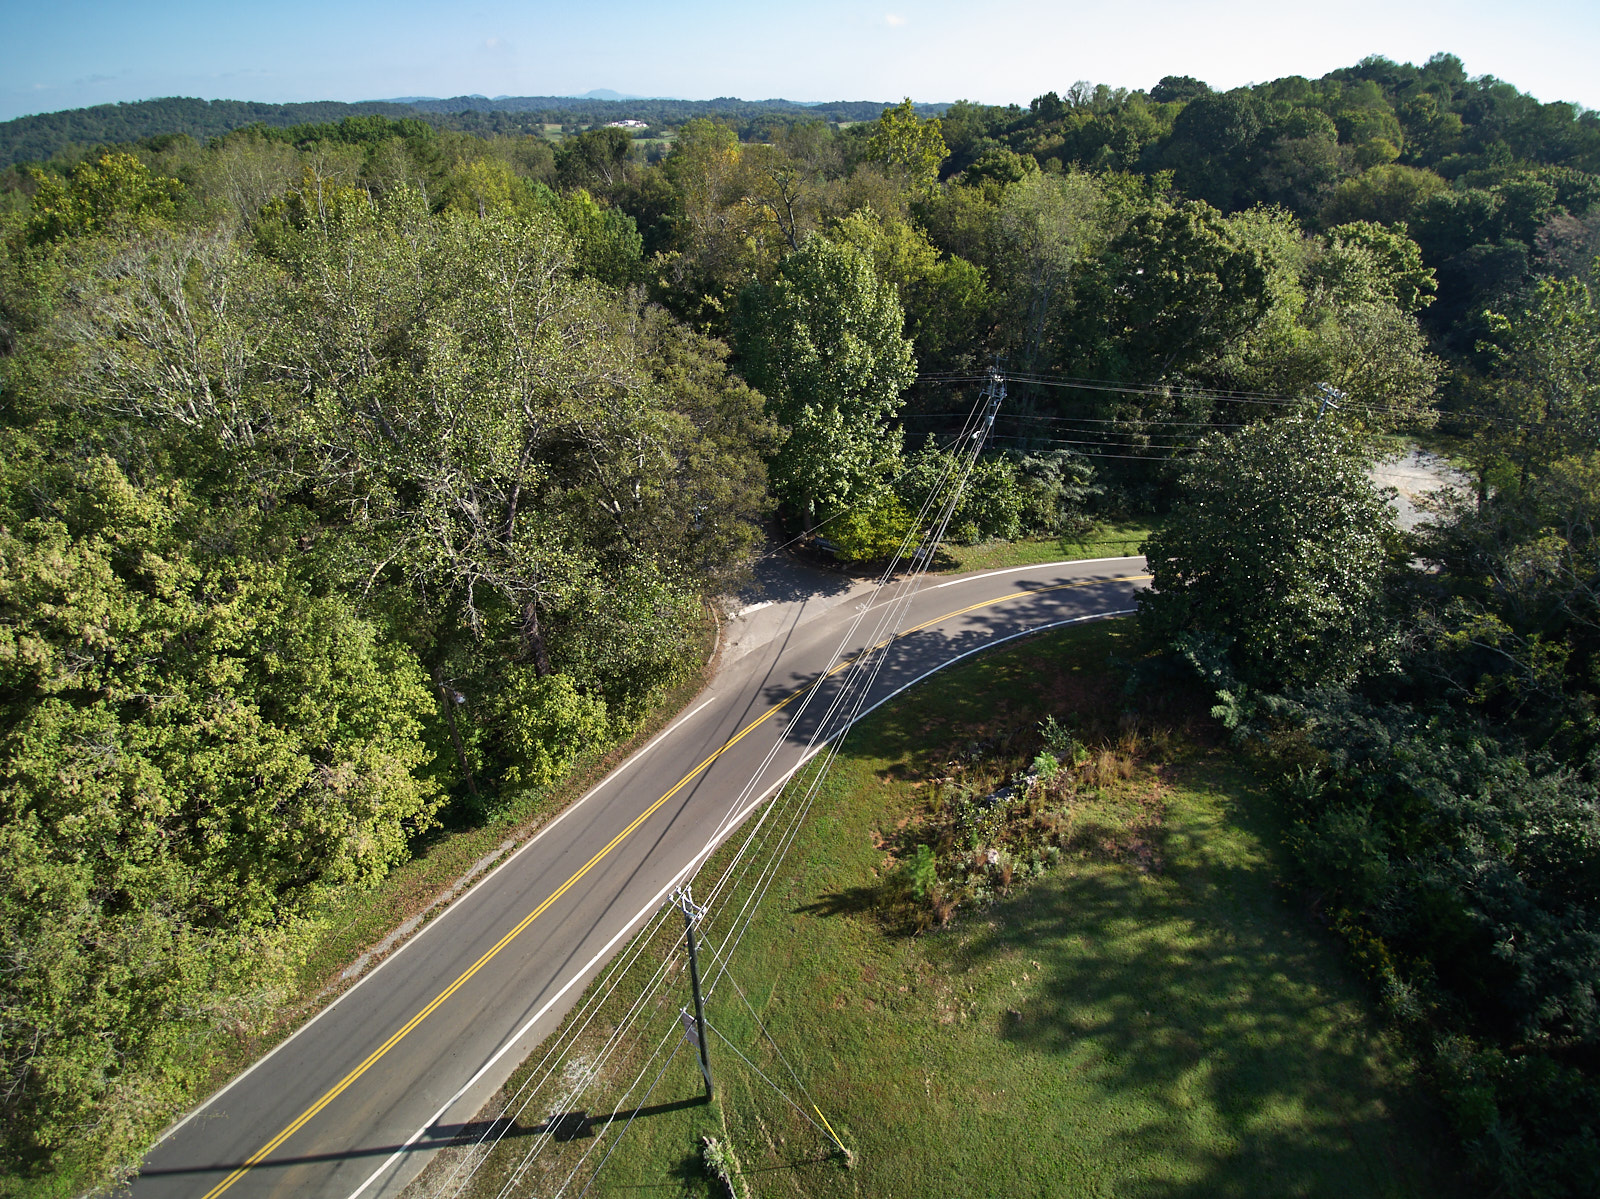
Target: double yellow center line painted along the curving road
{"x": 406, "y": 1030}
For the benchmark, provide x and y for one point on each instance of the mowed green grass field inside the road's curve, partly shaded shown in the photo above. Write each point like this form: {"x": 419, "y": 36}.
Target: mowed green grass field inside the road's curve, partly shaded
{"x": 1146, "y": 1011}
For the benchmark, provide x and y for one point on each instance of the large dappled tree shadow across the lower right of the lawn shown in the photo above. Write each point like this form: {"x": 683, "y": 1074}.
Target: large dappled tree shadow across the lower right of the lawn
{"x": 1234, "y": 1035}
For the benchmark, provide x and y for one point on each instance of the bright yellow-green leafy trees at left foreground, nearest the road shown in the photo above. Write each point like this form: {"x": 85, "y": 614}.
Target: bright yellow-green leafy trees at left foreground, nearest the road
{"x": 198, "y": 748}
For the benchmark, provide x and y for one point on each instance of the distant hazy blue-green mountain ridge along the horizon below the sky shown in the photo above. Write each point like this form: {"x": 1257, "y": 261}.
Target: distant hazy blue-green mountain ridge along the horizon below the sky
{"x": 41, "y": 137}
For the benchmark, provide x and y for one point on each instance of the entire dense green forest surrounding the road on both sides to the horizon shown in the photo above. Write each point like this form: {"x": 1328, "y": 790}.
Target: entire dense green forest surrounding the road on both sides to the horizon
{"x": 353, "y": 476}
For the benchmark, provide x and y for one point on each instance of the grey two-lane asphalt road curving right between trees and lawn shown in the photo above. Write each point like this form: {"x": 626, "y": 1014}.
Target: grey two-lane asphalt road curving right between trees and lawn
{"x": 358, "y": 1101}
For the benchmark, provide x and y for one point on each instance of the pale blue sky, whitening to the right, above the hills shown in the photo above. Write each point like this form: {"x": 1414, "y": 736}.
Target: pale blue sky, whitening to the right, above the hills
{"x": 73, "y": 54}
